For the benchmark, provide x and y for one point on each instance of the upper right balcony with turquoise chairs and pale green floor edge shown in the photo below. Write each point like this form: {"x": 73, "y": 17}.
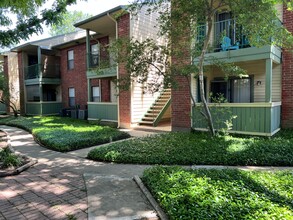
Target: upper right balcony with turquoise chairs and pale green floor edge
{"x": 230, "y": 44}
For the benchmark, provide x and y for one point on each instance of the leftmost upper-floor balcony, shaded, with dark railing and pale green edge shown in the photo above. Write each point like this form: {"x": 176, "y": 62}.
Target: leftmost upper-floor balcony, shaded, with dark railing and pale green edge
{"x": 46, "y": 73}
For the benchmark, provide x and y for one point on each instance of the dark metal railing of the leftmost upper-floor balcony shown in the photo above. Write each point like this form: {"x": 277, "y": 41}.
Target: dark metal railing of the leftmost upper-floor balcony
{"x": 47, "y": 71}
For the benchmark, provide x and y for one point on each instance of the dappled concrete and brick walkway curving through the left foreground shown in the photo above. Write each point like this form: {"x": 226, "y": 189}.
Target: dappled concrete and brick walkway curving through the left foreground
{"x": 111, "y": 192}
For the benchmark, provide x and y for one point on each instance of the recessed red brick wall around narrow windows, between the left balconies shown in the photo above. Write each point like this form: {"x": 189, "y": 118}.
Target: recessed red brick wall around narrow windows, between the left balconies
{"x": 75, "y": 78}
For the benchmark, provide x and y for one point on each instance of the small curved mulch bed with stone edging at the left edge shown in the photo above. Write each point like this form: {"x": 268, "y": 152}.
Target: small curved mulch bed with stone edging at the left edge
{"x": 25, "y": 161}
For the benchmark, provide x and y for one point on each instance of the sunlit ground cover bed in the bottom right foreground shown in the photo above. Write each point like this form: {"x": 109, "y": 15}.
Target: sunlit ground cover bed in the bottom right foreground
{"x": 221, "y": 194}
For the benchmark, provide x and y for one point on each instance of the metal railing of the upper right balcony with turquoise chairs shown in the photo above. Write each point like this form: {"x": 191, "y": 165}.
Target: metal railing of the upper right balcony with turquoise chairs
{"x": 228, "y": 29}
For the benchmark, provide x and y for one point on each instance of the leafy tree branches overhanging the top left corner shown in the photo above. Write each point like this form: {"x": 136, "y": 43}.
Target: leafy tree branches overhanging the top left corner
{"x": 29, "y": 19}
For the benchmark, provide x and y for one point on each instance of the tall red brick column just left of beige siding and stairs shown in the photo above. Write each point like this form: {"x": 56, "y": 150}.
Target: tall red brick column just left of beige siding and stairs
{"x": 124, "y": 96}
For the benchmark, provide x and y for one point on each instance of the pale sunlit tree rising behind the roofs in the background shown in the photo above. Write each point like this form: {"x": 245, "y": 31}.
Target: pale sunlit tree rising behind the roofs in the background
{"x": 66, "y": 23}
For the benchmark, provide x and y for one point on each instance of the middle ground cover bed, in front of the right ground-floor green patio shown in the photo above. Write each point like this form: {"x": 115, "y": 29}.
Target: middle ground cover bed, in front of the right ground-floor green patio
{"x": 200, "y": 149}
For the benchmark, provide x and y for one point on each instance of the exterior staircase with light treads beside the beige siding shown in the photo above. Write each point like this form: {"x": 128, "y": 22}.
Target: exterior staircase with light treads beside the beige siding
{"x": 157, "y": 110}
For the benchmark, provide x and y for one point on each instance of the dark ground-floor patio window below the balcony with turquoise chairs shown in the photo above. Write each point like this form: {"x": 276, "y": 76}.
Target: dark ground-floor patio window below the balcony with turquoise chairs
{"x": 233, "y": 90}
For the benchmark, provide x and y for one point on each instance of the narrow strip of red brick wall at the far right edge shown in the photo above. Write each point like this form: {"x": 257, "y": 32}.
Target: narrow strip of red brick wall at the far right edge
{"x": 287, "y": 77}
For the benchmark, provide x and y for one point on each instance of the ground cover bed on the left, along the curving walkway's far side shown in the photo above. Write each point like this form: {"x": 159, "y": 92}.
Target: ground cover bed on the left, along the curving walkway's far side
{"x": 65, "y": 134}
